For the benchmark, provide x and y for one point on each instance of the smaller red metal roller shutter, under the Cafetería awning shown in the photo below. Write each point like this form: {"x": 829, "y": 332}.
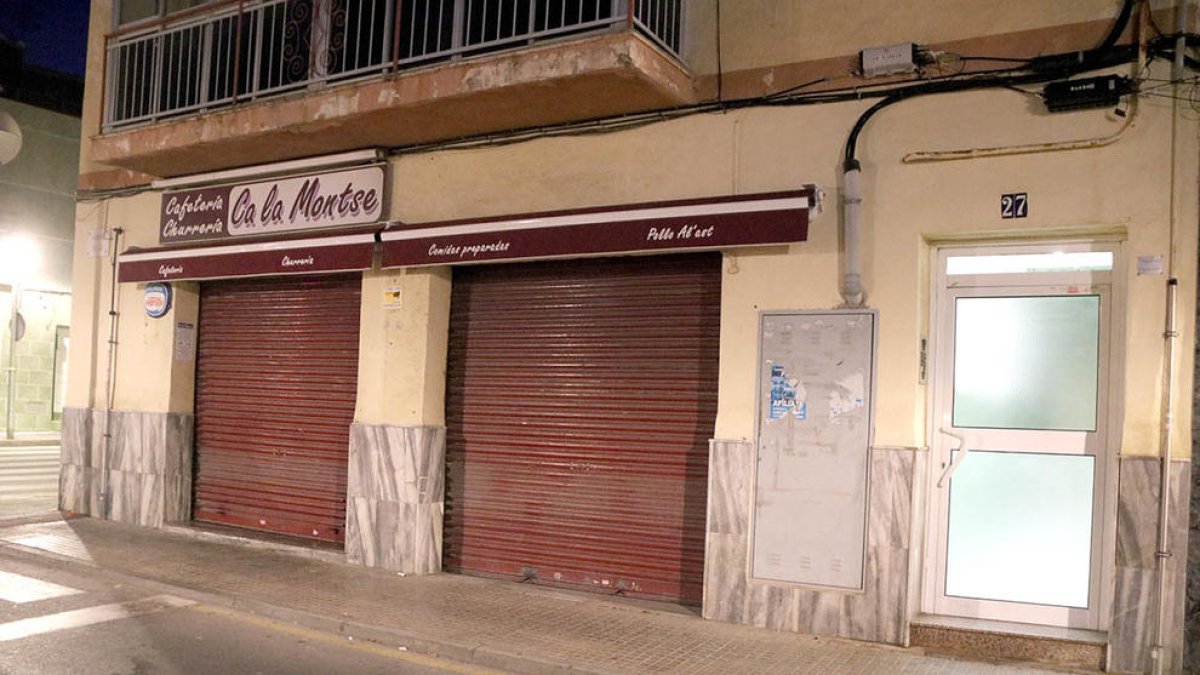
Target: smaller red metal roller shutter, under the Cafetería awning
{"x": 275, "y": 391}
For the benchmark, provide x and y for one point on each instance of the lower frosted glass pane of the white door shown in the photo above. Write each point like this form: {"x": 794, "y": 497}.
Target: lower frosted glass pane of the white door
{"x": 1021, "y": 528}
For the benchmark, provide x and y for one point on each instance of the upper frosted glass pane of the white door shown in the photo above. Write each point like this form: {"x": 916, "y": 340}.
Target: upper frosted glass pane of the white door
{"x": 1027, "y": 363}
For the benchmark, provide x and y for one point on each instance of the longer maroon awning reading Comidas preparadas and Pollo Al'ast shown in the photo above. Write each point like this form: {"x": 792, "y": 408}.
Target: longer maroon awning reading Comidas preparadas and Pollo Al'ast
{"x": 687, "y": 225}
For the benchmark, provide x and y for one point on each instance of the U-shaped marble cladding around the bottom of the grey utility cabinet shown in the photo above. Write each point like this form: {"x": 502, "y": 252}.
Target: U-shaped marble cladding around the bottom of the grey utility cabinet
{"x": 877, "y": 614}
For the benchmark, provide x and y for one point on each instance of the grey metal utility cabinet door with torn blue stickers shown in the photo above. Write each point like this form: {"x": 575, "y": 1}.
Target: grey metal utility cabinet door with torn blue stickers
{"x": 817, "y": 380}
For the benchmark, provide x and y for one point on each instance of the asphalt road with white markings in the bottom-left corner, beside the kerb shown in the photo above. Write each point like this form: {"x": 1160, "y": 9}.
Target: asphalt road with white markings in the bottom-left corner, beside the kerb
{"x": 69, "y": 622}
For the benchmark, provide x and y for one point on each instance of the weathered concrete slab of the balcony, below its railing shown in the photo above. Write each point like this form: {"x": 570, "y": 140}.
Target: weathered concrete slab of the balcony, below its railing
{"x": 548, "y": 85}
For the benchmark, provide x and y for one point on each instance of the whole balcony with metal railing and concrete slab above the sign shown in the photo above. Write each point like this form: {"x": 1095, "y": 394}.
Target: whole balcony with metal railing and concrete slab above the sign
{"x": 286, "y": 79}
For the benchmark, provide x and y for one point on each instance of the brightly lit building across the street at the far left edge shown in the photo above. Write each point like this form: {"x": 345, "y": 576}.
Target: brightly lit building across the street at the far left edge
{"x": 40, "y": 117}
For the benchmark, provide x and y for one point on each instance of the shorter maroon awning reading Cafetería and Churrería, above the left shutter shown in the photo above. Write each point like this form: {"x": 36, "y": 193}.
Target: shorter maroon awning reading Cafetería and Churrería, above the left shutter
{"x": 334, "y": 253}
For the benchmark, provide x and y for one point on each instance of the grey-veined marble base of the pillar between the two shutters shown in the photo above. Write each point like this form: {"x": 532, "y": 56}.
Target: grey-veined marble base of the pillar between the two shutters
{"x": 395, "y": 498}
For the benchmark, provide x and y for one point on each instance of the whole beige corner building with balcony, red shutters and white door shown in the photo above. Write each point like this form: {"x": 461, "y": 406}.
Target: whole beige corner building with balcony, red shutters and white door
{"x": 853, "y": 322}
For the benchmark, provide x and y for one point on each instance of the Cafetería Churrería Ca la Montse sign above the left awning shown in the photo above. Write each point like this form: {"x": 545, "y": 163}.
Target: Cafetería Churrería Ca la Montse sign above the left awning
{"x": 327, "y": 200}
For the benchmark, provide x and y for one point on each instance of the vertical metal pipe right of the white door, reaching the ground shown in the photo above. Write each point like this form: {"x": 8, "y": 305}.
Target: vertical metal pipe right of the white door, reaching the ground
{"x": 1162, "y": 552}
